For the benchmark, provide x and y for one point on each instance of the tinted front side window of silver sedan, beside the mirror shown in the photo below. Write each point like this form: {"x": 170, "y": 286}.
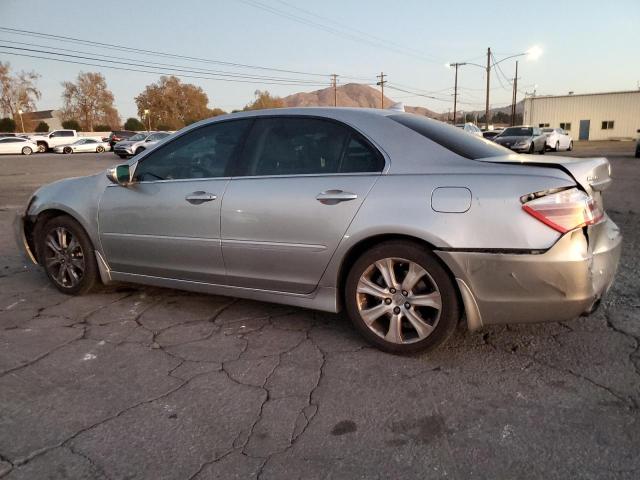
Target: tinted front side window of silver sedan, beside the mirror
{"x": 201, "y": 153}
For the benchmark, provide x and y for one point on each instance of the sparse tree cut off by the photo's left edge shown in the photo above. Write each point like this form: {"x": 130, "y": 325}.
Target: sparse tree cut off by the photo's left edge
{"x": 17, "y": 92}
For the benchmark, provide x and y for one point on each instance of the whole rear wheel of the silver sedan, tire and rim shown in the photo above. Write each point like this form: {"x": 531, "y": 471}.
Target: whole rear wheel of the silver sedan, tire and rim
{"x": 401, "y": 298}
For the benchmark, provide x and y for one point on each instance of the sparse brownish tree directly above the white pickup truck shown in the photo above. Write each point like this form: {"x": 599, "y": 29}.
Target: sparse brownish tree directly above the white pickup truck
{"x": 90, "y": 100}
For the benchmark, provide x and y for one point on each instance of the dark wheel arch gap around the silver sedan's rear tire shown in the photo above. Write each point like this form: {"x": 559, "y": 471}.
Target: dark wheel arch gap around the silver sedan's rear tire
{"x": 365, "y": 244}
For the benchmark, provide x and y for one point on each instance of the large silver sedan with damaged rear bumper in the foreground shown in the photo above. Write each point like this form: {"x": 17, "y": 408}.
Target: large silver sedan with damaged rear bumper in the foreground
{"x": 405, "y": 222}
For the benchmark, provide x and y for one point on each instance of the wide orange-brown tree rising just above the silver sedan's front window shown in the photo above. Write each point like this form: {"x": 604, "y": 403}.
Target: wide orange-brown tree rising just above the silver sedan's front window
{"x": 172, "y": 103}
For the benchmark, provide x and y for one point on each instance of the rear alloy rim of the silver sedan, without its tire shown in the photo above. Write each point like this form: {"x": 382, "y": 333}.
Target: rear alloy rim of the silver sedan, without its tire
{"x": 398, "y": 300}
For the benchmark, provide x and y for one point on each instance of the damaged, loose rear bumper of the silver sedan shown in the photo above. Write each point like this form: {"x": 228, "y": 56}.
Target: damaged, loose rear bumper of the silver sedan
{"x": 562, "y": 283}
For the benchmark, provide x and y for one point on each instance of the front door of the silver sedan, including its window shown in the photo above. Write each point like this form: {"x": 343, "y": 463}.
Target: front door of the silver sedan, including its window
{"x": 167, "y": 222}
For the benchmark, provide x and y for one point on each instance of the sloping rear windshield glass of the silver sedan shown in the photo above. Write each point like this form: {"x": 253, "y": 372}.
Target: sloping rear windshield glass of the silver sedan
{"x": 451, "y": 138}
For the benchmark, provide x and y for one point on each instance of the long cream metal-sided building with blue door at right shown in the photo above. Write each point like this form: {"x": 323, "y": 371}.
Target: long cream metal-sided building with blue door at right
{"x": 590, "y": 116}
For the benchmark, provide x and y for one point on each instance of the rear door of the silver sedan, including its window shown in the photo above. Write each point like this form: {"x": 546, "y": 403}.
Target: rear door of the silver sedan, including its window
{"x": 302, "y": 182}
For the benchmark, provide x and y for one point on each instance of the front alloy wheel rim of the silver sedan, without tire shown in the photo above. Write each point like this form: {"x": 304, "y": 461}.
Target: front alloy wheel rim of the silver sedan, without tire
{"x": 64, "y": 258}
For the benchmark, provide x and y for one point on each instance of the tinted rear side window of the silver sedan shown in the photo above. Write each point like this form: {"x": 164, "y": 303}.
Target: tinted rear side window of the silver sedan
{"x": 306, "y": 146}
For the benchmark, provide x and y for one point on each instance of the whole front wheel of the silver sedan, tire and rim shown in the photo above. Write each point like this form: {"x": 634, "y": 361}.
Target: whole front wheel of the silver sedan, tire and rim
{"x": 67, "y": 255}
